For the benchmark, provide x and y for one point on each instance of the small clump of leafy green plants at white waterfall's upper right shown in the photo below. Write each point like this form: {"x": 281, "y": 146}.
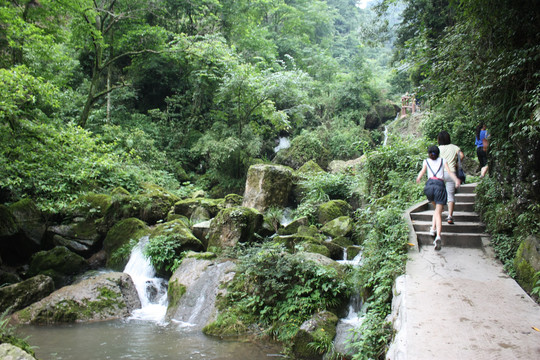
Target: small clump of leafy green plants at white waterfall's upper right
{"x": 163, "y": 252}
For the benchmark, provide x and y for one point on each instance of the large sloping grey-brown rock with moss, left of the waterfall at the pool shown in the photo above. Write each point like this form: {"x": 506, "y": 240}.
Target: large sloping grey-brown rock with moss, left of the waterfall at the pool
{"x": 105, "y": 297}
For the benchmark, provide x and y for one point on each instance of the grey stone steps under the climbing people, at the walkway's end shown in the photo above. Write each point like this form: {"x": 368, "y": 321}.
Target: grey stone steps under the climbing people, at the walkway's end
{"x": 467, "y": 230}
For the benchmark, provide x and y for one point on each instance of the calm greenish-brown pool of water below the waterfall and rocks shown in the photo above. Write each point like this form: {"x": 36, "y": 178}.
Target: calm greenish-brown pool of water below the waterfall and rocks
{"x": 136, "y": 339}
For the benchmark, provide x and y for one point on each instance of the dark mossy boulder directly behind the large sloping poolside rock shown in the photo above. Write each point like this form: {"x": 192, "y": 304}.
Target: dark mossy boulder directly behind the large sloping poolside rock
{"x": 59, "y": 263}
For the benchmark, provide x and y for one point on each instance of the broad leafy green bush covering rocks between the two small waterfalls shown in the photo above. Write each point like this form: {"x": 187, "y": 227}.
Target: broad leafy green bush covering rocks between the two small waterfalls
{"x": 280, "y": 290}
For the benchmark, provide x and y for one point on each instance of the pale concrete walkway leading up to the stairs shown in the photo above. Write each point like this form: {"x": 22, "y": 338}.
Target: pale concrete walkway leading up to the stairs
{"x": 459, "y": 304}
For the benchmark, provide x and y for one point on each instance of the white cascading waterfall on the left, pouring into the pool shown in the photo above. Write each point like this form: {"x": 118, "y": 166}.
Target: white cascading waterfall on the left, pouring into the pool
{"x": 152, "y": 290}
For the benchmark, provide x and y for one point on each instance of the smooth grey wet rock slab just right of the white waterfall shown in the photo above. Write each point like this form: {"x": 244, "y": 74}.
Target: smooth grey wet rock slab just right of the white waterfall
{"x": 194, "y": 288}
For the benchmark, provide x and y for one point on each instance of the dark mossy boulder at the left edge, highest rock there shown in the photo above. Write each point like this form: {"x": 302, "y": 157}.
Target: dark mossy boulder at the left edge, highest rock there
{"x": 22, "y": 230}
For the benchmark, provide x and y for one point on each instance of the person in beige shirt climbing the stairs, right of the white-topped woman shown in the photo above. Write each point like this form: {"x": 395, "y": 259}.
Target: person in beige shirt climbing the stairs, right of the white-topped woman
{"x": 450, "y": 153}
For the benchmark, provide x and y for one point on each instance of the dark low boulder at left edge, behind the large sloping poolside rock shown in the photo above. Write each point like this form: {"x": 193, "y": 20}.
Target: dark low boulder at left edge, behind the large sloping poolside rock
{"x": 20, "y": 295}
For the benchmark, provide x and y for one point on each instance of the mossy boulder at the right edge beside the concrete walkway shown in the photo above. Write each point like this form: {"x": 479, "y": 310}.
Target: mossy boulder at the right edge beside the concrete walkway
{"x": 527, "y": 262}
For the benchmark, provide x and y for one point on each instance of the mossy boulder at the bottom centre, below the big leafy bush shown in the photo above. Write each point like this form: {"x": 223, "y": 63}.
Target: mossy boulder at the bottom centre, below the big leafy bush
{"x": 320, "y": 330}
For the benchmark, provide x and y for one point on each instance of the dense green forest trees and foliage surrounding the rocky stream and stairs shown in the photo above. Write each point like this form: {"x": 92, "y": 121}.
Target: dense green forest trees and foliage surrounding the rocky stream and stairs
{"x": 188, "y": 95}
